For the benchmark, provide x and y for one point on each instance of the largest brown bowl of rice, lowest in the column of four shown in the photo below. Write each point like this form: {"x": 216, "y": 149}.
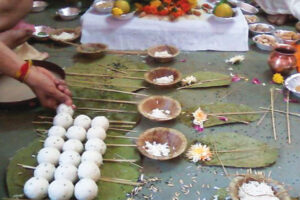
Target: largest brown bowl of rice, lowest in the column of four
{"x": 175, "y": 139}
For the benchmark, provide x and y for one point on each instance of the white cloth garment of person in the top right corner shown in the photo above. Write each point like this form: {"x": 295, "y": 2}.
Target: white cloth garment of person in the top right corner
{"x": 274, "y": 7}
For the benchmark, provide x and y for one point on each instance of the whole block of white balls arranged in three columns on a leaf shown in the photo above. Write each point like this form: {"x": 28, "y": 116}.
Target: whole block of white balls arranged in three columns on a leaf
{"x": 66, "y": 173}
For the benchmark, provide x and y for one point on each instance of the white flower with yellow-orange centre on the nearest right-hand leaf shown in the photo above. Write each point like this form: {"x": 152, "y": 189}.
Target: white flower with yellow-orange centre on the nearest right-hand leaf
{"x": 199, "y": 152}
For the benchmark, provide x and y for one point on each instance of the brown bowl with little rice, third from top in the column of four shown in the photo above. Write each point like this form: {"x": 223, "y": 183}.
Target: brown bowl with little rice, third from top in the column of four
{"x": 146, "y": 106}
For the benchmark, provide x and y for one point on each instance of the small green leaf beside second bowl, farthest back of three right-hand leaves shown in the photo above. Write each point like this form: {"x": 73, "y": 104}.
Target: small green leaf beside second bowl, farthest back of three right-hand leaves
{"x": 210, "y": 79}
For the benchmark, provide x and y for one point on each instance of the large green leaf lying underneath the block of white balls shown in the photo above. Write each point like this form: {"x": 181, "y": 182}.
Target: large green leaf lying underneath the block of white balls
{"x": 17, "y": 176}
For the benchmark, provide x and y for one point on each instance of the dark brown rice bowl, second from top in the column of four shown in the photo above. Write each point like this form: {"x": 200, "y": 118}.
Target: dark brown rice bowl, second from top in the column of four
{"x": 161, "y": 72}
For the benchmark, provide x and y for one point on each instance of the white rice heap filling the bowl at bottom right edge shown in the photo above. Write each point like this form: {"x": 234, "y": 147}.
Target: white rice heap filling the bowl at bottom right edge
{"x": 256, "y": 191}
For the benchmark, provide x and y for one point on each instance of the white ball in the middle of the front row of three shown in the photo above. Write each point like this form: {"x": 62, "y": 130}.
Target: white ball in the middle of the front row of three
{"x": 61, "y": 189}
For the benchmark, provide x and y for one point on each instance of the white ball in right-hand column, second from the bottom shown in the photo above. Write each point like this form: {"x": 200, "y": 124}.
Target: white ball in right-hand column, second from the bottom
{"x": 89, "y": 170}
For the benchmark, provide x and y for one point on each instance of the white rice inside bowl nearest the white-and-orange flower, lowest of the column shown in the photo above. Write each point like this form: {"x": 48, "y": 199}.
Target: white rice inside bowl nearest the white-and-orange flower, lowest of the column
{"x": 156, "y": 149}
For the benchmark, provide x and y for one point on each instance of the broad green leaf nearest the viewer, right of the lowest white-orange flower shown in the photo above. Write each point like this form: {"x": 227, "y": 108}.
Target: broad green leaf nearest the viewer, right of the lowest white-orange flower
{"x": 236, "y": 150}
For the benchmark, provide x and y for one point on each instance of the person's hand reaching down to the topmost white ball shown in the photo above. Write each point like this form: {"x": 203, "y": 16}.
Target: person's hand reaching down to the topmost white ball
{"x": 50, "y": 90}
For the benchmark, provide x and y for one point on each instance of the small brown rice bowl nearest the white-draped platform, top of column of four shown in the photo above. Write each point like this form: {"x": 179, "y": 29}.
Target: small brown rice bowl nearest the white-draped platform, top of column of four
{"x": 170, "y": 49}
